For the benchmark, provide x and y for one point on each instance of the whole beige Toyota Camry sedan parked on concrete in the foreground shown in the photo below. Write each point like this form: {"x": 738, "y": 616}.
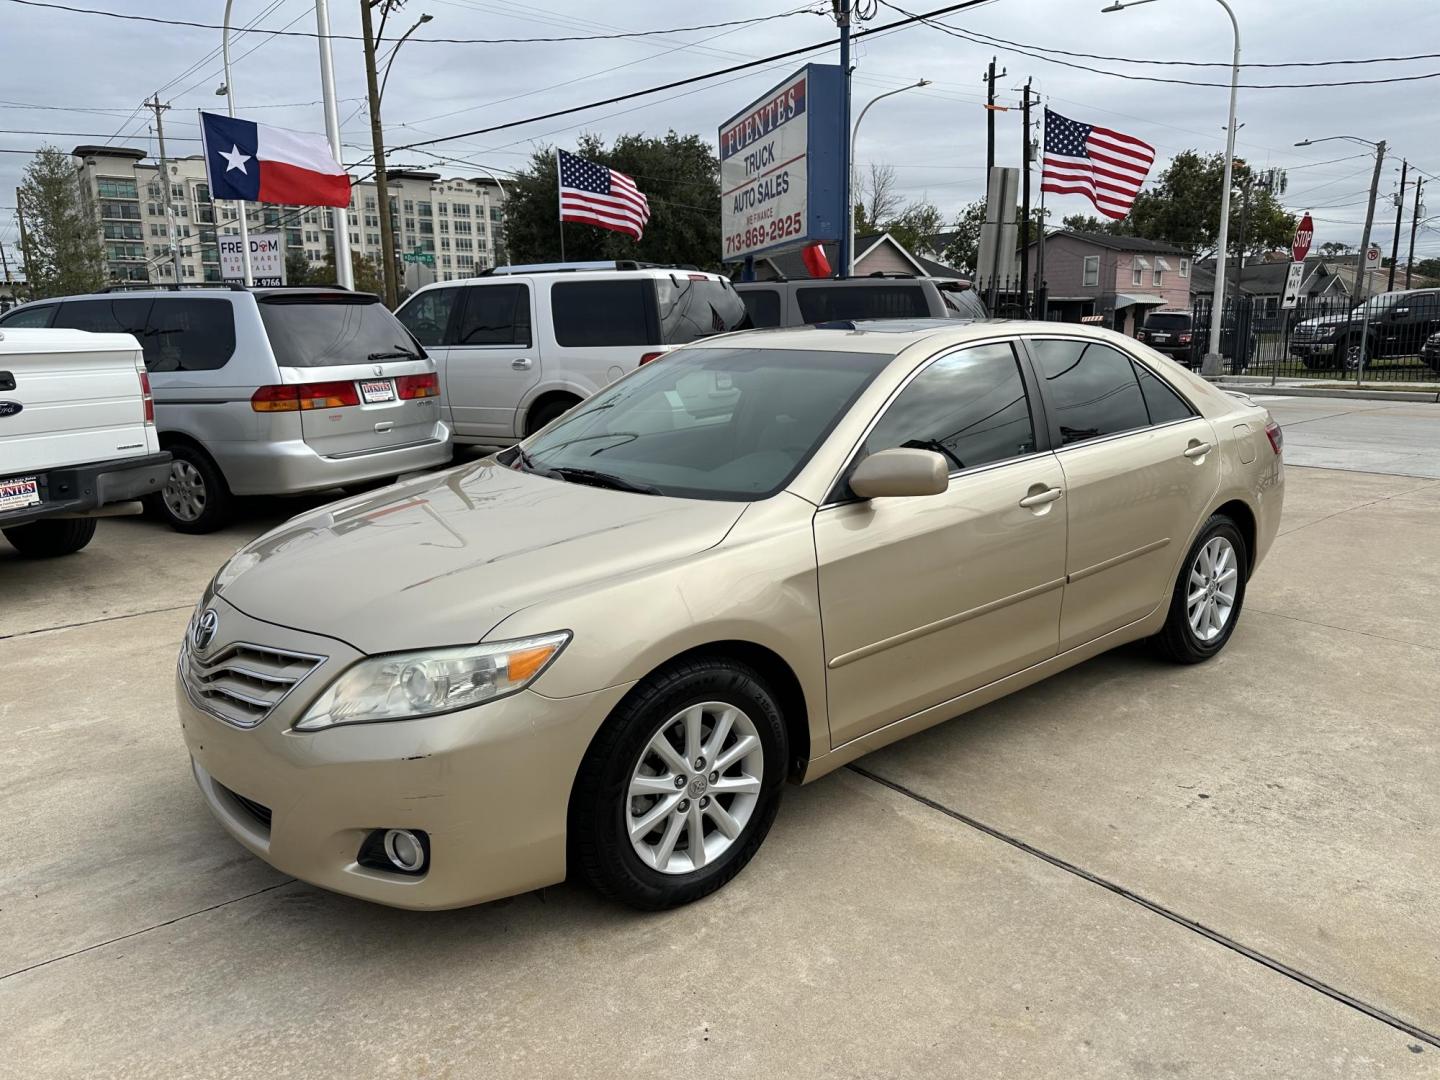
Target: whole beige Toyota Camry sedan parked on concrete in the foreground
{"x": 606, "y": 652}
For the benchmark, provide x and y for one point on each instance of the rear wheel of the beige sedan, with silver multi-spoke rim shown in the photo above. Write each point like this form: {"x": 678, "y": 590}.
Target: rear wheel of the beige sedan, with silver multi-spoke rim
{"x": 1209, "y": 595}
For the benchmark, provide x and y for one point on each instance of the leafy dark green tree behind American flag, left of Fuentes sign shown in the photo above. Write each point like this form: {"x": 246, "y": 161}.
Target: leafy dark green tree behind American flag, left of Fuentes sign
{"x": 679, "y": 175}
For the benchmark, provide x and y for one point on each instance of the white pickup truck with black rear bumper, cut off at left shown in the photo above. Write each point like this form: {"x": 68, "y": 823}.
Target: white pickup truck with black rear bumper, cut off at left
{"x": 77, "y": 437}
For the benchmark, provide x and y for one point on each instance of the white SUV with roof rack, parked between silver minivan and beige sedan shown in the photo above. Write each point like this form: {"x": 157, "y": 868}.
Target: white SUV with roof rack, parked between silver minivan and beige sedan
{"x": 522, "y": 345}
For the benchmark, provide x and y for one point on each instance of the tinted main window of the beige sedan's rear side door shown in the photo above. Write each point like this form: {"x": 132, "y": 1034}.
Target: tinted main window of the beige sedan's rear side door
{"x": 1092, "y": 387}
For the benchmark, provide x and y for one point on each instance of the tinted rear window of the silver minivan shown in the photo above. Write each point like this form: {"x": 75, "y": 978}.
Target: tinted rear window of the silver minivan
{"x": 328, "y": 332}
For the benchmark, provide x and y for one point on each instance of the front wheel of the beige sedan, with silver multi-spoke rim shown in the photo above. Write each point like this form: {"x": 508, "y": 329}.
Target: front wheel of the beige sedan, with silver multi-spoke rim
{"x": 680, "y": 787}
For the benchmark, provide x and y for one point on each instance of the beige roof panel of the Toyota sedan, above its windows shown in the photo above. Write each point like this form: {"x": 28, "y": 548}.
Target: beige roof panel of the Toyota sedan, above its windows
{"x": 898, "y": 335}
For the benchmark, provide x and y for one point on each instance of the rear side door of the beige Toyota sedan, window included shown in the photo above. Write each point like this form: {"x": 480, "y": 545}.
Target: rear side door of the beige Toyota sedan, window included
{"x": 1140, "y": 467}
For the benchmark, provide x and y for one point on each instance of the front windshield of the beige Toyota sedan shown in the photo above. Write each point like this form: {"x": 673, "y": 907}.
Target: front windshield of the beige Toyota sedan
{"x": 728, "y": 424}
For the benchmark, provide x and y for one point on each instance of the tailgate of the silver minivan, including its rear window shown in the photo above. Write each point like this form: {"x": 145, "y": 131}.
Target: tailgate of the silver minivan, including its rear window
{"x": 358, "y": 369}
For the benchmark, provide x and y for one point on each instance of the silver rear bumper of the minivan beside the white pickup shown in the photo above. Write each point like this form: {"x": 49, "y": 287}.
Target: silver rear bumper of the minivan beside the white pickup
{"x": 292, "y": 467}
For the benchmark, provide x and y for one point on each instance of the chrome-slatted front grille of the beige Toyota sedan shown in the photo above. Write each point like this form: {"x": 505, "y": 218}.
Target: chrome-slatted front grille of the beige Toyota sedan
{"x": 241, "y": 685}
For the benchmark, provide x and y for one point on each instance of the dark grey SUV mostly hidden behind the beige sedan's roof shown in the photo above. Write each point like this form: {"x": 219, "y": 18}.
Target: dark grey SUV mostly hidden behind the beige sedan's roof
{"x": 879, "y": 296}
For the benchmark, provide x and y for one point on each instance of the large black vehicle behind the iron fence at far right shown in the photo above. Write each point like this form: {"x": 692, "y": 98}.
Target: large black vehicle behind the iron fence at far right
{"x": 1387, "y": 325}
